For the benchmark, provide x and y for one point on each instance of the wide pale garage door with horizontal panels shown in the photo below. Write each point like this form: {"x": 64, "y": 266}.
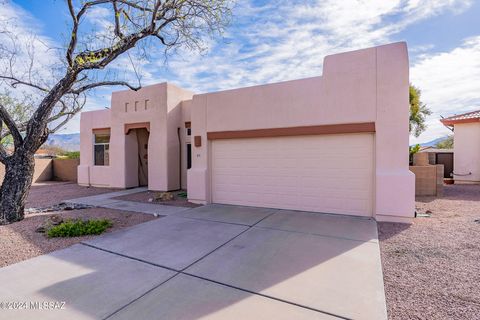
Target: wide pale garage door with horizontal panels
{"x": 324, "y": 173}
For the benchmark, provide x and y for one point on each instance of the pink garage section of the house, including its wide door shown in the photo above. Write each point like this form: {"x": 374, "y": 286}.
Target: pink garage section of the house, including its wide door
{"x": 335, "y": 143}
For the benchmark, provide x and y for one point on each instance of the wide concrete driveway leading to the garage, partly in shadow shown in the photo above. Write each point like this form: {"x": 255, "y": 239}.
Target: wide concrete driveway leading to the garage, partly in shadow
{"x": 211, "y": 262}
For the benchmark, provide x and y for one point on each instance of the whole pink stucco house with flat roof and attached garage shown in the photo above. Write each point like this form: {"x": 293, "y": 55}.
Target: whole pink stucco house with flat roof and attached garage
{"x": 336, "y": 143}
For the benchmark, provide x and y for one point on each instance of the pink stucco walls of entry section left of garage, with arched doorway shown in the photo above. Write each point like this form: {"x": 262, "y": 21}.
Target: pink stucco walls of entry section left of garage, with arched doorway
{"x": 159, "y": 106}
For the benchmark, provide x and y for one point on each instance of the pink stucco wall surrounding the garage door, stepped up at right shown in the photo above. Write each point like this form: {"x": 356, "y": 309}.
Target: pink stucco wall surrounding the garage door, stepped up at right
{"x": 369, "y": 85}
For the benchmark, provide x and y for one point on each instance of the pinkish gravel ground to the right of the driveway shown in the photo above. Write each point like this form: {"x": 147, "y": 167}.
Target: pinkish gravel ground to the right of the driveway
{"x": 432, "y": 267}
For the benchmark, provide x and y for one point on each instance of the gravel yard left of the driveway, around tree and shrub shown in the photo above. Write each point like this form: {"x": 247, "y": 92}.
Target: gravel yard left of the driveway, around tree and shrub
{"x": 19, "y": 241}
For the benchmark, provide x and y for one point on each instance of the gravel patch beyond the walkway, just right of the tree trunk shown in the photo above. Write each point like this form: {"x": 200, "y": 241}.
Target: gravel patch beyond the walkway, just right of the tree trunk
{"x": 50, "y": 193}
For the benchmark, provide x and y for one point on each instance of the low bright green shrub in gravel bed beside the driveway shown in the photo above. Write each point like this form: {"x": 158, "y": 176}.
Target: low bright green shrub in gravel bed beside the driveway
{"x": 76, "y": 228}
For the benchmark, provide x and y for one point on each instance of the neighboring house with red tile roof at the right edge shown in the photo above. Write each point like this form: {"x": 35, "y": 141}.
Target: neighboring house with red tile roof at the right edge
{"x": 466, "y": 146}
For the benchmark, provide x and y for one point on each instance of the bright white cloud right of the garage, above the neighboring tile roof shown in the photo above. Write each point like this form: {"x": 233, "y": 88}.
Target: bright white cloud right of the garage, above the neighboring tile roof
{"x": 450, "y": 84}
